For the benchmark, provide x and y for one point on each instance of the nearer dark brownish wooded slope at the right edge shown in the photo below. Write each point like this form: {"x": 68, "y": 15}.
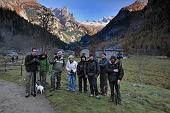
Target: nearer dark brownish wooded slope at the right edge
{"x": 153, "y": 36}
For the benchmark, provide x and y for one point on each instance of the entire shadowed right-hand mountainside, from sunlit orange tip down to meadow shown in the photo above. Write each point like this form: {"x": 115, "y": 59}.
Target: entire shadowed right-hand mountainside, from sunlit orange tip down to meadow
{"x": 139, "y": 28}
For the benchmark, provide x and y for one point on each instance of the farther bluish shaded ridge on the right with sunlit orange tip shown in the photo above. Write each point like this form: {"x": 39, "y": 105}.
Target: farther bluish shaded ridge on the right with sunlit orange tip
{"x": 118, "y": 25}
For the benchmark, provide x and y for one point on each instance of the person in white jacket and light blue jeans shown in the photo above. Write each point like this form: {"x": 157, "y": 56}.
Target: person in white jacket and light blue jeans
{"x": 71, "y": 68}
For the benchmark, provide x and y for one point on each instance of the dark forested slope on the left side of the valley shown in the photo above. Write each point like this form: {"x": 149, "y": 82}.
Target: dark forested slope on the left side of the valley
{"x": 17, "y": 33}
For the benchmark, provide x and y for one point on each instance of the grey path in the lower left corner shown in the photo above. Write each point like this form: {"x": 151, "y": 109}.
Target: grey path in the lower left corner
{"x": 12, "y": 100}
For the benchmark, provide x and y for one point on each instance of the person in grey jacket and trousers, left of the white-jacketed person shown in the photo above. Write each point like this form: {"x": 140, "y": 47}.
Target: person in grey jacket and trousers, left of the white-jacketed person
{"x": 58, "y": 65}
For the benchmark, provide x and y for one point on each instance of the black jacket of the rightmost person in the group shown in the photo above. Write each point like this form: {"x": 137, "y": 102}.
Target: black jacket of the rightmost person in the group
{"x": 113, "y": 76}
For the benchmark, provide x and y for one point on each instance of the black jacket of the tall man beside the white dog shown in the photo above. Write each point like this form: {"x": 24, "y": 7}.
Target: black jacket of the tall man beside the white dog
{"x": 31, "y": 63}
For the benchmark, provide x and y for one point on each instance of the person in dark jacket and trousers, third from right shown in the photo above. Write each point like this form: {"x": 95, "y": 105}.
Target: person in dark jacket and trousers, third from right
{"x": 92, "y": 73}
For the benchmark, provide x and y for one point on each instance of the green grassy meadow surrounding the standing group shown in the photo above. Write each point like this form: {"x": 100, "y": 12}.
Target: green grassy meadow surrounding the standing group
{"x": 144, "y": 90}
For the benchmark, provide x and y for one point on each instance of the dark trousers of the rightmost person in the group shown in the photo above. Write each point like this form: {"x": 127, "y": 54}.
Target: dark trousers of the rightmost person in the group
{"x": 115, "y": 88}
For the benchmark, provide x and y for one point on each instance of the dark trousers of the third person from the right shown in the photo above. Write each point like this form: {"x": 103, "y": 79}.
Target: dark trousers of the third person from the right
{"x": 93, "y": 85}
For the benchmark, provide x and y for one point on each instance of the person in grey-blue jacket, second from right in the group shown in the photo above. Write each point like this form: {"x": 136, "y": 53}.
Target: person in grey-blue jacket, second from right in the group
{"x": 103, "y": 74}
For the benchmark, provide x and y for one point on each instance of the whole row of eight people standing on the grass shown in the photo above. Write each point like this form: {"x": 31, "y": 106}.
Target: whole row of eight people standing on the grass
{"x": 88, "y": 69}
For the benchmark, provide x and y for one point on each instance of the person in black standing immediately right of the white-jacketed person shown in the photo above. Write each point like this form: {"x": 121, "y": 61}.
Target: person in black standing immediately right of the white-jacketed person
{"x": 81, "y": 72}
